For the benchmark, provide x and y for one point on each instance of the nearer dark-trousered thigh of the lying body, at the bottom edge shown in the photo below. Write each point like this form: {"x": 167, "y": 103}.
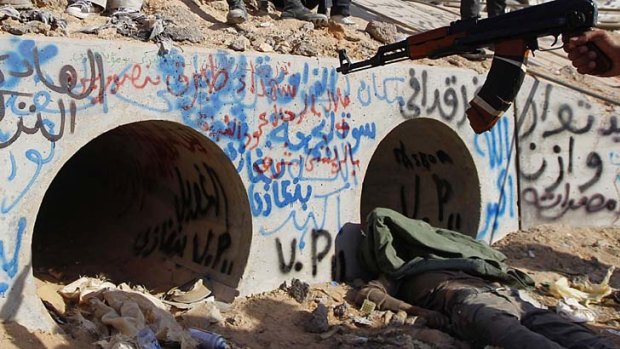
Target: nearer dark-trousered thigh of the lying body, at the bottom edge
{"x": 489, "y": 319}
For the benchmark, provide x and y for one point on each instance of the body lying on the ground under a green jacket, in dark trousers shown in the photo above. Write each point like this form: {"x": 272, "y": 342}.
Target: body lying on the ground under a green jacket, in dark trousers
{"x": 459, "y": 285}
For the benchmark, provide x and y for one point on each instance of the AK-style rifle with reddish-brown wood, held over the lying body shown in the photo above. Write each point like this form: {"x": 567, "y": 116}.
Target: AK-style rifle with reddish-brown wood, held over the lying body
{"x": 512, "y": 35}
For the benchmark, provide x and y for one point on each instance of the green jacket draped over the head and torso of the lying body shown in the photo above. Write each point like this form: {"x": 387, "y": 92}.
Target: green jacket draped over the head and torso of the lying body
{"x": 399, "y": 246}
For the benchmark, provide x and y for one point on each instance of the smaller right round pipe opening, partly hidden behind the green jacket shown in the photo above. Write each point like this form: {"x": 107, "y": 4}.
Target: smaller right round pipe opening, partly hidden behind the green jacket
{"x": 423, "y": 170}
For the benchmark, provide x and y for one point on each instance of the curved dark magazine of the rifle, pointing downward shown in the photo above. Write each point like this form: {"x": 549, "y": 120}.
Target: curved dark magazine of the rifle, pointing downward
{"x": 501, "y": 86}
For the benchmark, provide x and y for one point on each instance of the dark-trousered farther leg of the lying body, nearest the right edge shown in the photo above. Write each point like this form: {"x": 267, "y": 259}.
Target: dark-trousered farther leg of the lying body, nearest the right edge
{"x": 562, "y": 331}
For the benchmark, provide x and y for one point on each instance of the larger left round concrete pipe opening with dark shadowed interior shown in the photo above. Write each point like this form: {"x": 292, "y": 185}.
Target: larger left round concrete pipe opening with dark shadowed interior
{"x": 153, "y": 203}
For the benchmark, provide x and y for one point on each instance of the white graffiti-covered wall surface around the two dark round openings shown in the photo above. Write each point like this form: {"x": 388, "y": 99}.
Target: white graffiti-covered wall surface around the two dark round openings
{"x": 321, "y": 126}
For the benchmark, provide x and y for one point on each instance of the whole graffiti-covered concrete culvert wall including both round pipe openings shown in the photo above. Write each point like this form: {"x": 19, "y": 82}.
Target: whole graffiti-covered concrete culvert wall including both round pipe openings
{"x": 252, "y": 169}
